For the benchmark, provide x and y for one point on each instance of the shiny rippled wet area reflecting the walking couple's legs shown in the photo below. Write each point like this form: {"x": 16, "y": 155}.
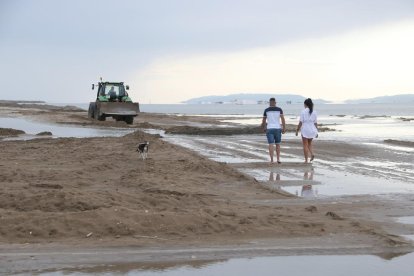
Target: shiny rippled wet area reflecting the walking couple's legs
{"x": 324, "y": 178}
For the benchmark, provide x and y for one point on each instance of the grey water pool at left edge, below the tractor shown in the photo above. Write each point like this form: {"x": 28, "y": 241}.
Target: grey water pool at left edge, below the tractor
{"x": 32, "y": 128}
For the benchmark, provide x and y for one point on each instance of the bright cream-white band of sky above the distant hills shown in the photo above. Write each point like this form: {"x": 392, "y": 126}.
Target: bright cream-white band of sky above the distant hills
{"x": 369, "y": 62}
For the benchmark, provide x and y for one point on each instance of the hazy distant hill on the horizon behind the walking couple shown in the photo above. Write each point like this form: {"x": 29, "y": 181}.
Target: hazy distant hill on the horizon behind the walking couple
{"x": 250, "y": 98}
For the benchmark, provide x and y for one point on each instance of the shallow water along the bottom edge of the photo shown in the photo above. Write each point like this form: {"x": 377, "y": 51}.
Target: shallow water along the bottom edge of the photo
{"x": 280, "y": 265}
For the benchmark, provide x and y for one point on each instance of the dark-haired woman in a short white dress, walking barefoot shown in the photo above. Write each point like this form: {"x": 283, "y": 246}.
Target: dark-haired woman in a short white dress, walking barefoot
{"x": 308, "y": 126}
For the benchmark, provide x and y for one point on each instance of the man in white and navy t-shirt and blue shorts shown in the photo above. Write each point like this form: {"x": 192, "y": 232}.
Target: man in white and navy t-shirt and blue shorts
{"x": 271, "y": 125}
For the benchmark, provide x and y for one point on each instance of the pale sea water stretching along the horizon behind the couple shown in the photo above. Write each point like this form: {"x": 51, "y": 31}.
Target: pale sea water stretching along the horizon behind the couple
{"x": 361, "y": 122}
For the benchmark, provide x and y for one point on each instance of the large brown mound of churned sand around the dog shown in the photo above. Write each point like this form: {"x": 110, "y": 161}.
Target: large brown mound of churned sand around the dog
{"x": 64, "y": 189}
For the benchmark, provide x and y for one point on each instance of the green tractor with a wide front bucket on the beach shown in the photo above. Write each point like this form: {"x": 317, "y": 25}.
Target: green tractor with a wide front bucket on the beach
{"x": 112, "y": 100}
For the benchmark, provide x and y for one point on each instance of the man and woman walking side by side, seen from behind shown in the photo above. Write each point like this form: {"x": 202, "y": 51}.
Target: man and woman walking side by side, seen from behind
{"x": 274, "y": 125}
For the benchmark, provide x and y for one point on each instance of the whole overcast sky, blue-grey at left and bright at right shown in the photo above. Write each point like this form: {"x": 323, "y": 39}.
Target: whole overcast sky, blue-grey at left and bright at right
{"x": 172, "y": 50}
